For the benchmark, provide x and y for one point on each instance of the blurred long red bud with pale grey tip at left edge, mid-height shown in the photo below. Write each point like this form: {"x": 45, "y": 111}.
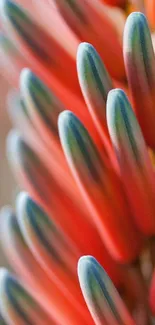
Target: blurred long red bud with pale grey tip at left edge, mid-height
{"x": 71, "y": 215}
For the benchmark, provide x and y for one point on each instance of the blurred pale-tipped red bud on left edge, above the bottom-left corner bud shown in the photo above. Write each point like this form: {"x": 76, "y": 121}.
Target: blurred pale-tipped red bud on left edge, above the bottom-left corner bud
{"x": 42, "y": 288}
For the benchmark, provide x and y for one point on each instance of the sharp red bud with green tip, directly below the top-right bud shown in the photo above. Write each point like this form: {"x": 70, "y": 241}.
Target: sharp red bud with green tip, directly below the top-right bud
{"x": 135, "y": 166}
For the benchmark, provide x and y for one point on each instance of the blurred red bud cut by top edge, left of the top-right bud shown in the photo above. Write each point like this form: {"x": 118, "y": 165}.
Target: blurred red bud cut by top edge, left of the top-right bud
{"x": 86, "y": 18}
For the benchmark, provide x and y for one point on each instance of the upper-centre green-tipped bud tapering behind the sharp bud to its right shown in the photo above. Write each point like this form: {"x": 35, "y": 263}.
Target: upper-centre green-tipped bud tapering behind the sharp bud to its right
{"x": 95, "y": 84}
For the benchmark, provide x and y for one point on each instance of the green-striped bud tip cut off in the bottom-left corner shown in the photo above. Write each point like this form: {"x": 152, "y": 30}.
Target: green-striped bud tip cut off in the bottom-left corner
{"x": 16, "y": 305}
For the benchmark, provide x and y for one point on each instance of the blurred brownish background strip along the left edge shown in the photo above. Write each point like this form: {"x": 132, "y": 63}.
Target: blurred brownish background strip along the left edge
{"x": 7, "y": 184}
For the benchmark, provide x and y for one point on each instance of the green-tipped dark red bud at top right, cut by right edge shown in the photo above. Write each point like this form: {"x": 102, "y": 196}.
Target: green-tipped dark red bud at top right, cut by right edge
{"x": 140, "y": 67}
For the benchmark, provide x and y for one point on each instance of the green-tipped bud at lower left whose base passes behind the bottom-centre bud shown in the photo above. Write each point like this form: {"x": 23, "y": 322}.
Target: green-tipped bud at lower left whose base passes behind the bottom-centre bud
{"x": 55, "y": 252}
